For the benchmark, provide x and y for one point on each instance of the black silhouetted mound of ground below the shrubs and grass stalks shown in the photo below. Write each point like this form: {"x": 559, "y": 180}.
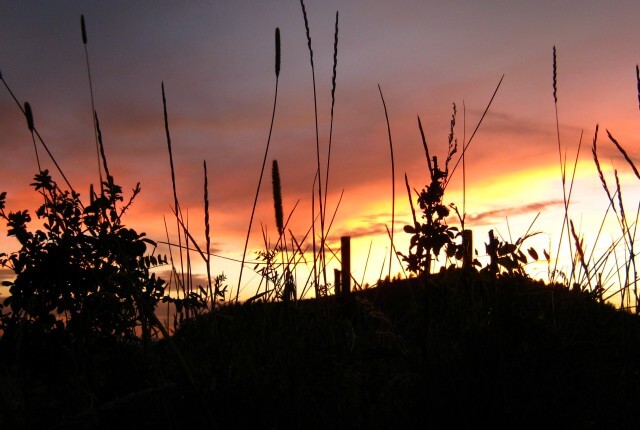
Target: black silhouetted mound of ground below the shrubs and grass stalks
{"x": 458, "y": 347}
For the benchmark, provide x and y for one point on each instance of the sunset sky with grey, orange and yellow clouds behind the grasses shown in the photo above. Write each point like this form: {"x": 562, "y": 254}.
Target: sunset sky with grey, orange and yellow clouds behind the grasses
{"x": 216, "y": 59}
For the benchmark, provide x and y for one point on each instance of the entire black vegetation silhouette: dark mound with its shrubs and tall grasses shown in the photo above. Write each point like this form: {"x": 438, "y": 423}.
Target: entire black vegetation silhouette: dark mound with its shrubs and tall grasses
{"x": 463, "y": 346}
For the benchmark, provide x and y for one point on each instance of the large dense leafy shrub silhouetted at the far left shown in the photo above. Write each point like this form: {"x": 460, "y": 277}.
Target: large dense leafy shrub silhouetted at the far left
{"x": 84, "y": 271}
